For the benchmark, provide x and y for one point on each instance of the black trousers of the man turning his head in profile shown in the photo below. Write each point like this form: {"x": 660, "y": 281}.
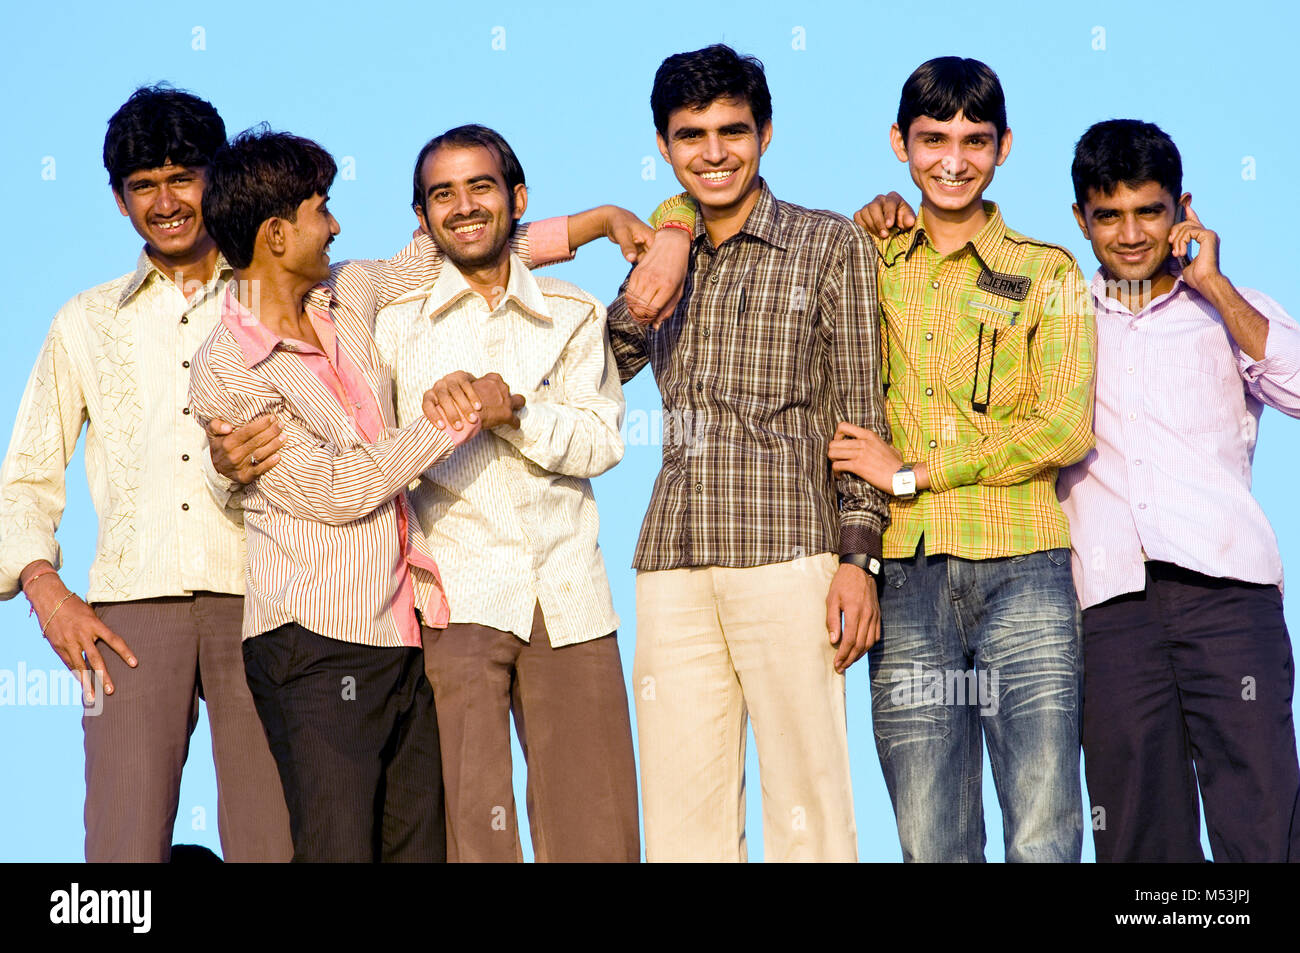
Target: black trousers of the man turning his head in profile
{"x": 356, "y": 737}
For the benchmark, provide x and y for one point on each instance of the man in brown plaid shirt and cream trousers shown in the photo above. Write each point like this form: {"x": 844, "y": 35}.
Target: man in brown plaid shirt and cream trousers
{"x": 752, "y": 555}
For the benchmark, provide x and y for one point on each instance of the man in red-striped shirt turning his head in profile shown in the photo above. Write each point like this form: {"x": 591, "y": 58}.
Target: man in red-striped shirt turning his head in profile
{"x": 339, "y": 570}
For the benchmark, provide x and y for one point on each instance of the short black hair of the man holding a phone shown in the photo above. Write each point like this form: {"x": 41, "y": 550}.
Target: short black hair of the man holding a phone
{"x": 1129, "y": 153}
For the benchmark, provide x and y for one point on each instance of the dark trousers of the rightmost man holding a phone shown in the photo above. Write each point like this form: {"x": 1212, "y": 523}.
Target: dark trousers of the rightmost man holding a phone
{"x": 1188, "y": 682}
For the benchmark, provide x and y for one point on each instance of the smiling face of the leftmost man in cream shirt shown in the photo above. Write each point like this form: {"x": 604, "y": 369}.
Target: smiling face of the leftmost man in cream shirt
{"x": 166, "y": 206}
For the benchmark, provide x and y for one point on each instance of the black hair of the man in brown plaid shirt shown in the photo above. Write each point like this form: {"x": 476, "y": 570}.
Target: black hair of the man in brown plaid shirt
{"x": 697, "y": 79}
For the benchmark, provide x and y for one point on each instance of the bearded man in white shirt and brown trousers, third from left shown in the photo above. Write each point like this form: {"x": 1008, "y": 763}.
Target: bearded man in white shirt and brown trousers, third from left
{"x": 513, "y": 525}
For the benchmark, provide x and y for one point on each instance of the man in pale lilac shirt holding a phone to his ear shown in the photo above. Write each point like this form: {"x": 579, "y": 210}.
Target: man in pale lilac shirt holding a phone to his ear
{"x": 1188, "y": 660}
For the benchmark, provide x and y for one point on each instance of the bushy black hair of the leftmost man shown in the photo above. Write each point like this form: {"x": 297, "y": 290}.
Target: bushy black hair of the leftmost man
{"x": 161, "y": 124}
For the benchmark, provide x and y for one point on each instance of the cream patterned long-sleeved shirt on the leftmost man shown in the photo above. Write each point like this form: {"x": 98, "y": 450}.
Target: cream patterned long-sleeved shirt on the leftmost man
{"x": 112, "y": 353}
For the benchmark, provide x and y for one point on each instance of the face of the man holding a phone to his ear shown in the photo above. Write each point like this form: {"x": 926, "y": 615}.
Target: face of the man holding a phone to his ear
{"x": 1130, "y": 229}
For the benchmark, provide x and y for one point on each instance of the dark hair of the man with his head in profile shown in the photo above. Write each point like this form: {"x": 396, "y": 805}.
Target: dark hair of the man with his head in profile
{"x": 261, "y": 176}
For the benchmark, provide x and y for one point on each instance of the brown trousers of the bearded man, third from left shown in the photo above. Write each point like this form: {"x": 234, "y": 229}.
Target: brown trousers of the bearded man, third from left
{"x": 571, "y": 713}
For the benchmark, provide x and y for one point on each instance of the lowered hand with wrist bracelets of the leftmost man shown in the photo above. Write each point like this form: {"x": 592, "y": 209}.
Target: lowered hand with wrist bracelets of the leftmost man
{"x": 73, "y": 630}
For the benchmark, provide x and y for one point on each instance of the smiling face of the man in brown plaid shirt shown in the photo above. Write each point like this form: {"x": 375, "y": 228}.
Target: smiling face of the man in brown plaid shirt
{"x": 716, "y": 154}
